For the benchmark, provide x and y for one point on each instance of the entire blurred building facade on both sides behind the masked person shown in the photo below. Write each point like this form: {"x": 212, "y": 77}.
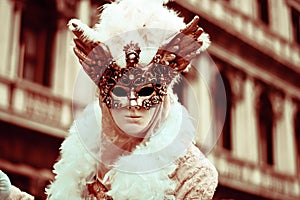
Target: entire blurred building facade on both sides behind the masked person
{"x": 255, "y": 45}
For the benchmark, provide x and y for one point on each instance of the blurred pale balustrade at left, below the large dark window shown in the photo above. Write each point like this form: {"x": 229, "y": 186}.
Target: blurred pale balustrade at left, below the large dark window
{"x": 33, "y": 106}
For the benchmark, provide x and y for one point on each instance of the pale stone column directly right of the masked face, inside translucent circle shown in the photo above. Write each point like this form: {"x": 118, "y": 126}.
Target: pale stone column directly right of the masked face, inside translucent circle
{"x": 197, "y": 99}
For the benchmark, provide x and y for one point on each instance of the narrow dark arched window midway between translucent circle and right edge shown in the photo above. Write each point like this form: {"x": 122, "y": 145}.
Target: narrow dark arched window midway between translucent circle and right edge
{"x": 265, "y": 118}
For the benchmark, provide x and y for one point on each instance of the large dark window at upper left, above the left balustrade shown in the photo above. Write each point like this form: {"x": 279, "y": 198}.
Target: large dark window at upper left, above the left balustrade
{"x": 37, "y": 38}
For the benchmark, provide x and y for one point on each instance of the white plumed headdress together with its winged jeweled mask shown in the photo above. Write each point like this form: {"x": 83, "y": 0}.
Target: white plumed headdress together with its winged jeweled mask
{"x": 137, "y": 42}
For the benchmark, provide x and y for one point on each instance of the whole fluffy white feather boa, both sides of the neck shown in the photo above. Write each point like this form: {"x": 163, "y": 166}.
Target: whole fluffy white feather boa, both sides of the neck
{"x": 141, "y": 175}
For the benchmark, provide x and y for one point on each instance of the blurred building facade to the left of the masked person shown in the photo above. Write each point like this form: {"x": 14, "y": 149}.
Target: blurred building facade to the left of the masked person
{"x": 37, "y": 73}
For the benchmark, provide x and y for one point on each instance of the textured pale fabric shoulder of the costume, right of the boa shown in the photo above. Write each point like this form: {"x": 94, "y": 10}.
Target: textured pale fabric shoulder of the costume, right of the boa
{"x": 196, "y": 177}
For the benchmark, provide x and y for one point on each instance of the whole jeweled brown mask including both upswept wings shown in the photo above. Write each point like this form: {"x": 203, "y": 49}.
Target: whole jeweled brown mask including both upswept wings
{"x": 137, "y": 85}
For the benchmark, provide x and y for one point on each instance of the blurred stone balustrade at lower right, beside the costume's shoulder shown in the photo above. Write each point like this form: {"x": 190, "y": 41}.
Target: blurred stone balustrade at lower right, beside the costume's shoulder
{"x": 252, "y": 178}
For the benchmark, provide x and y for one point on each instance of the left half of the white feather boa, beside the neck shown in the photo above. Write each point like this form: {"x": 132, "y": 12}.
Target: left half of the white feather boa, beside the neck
{"x": 77, "y": 165}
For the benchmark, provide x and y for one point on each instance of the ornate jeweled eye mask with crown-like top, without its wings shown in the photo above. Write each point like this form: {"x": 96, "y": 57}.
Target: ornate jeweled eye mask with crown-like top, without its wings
{"x": 135, "y": 86}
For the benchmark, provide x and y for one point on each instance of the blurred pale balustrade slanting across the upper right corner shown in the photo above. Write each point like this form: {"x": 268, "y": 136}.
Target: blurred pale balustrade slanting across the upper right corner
{"x": 247, "y": 29}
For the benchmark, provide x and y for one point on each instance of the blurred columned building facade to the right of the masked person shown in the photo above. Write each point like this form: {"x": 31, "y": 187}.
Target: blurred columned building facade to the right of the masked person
{"x": 256, "y": 46}
